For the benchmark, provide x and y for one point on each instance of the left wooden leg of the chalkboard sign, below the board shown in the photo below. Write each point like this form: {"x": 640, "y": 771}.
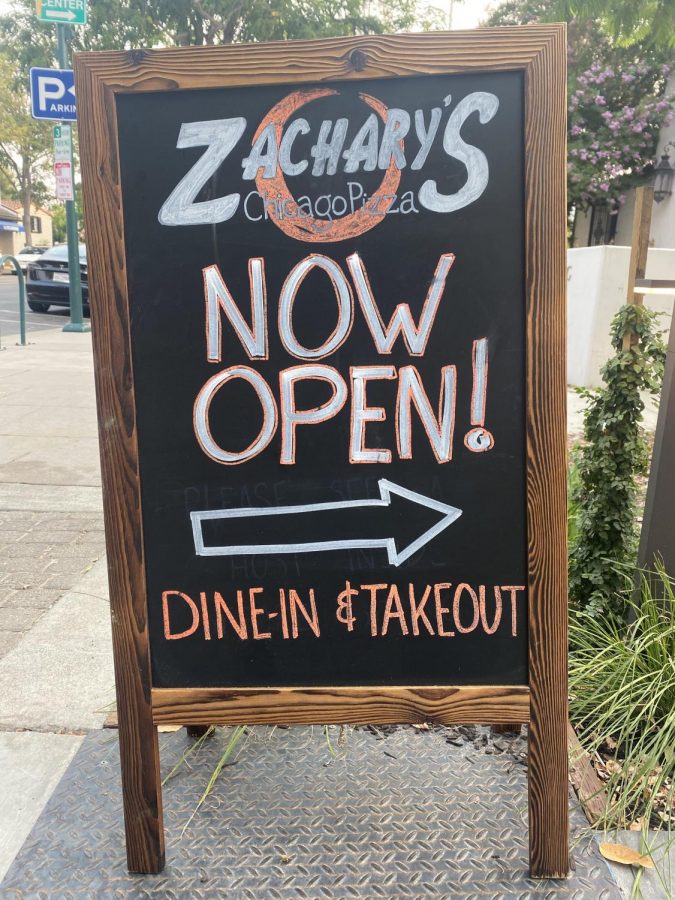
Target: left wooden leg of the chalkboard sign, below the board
{"x": 142, "y": 791}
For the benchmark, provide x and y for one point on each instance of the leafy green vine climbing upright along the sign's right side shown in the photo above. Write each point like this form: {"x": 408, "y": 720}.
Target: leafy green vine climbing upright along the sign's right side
{"x": 614, "y": 453}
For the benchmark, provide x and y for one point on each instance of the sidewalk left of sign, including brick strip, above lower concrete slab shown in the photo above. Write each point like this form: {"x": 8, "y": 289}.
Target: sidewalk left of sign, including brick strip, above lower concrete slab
{"x": 51, "y": 528}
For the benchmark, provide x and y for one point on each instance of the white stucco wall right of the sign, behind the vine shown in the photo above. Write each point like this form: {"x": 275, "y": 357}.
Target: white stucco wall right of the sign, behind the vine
{"x": 596, "y": 287}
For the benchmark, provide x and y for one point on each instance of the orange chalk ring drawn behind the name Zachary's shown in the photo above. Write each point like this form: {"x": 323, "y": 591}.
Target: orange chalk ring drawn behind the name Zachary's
{"x": 276, "y": 191}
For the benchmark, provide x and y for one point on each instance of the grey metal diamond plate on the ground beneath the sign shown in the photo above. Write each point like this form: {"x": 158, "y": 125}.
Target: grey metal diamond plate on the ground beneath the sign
{"x": 400, "y": 813}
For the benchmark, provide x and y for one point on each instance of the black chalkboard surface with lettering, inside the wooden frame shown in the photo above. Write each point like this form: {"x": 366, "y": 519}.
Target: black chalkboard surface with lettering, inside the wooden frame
{"x": 326, "y": 289}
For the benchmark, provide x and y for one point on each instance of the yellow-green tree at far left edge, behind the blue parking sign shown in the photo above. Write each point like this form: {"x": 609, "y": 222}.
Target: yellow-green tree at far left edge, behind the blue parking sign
{"x": 24, "y": 145}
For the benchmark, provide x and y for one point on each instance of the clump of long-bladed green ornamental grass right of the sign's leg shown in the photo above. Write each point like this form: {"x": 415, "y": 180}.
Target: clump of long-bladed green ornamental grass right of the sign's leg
{"x": 622, "y": 697}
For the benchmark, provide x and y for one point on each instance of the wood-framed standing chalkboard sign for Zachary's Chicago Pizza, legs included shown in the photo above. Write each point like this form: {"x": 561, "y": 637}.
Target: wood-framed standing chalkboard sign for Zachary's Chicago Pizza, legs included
{"x": 328, "y": 321}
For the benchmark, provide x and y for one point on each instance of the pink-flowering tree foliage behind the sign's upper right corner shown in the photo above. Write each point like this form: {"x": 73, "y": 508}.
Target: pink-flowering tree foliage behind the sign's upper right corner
{"x": 617, "y": 103}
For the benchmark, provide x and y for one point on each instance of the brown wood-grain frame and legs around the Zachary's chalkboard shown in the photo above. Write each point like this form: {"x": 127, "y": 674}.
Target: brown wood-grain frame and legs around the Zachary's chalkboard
{"x": 539, "y": 52}
